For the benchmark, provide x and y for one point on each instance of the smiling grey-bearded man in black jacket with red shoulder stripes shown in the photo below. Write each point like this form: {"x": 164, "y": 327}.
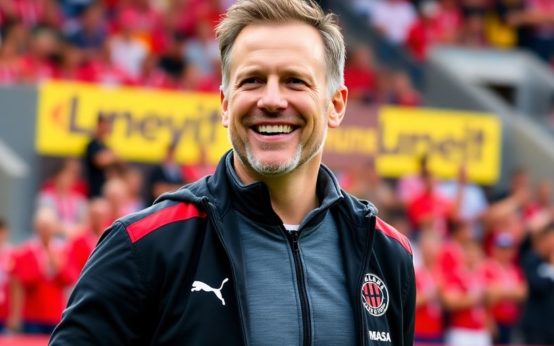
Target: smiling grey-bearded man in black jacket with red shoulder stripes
{"x": 268, "y": 250}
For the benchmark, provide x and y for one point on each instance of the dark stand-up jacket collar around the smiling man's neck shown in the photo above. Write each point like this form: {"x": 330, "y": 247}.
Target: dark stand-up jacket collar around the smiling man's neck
{"x": 253, "y": 200}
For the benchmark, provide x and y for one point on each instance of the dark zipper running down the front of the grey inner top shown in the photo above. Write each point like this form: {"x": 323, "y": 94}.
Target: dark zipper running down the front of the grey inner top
{"x": 304, "y": 303}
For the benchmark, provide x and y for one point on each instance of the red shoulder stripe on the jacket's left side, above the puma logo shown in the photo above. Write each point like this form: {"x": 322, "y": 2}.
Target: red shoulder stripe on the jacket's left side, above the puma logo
{"x": 150, "y": 223}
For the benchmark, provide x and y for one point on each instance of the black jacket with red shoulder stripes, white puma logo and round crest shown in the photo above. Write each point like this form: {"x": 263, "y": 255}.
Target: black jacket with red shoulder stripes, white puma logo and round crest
{"x": 136, "y": 286}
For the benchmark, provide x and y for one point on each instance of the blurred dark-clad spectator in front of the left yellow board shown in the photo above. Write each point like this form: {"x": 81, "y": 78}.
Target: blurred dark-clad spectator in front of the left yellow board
{"x": 99, "y": 158}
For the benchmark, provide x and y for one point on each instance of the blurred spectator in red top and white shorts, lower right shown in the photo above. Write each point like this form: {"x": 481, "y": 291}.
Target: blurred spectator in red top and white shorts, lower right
{"x": 463, "y": 294}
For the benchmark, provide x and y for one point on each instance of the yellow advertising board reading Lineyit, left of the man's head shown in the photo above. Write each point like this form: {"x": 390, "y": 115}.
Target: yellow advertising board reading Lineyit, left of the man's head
{"x": 144, "y": 121}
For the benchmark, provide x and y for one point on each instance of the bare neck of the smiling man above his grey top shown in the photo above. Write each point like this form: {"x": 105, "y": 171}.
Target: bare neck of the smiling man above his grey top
{"x": 292, "y": 195}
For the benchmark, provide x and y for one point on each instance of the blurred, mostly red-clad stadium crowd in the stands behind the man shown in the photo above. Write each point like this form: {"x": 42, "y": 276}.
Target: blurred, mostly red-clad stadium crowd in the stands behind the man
{"x": 484, "y": 260}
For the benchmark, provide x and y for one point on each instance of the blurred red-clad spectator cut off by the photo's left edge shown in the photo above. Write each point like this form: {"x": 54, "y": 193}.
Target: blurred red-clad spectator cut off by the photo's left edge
{"x": 6, "y": 263}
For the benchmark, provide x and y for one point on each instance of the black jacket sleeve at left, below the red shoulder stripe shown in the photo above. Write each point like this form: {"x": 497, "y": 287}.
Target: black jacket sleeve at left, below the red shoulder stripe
{"x": 106, "y": 304}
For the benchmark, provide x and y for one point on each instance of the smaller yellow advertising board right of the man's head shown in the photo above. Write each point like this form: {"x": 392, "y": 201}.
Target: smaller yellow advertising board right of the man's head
{"x": 449, "y": 138}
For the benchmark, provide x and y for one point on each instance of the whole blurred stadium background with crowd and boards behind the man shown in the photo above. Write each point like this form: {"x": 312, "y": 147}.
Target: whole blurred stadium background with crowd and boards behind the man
{"x": 104, "y": 105}
